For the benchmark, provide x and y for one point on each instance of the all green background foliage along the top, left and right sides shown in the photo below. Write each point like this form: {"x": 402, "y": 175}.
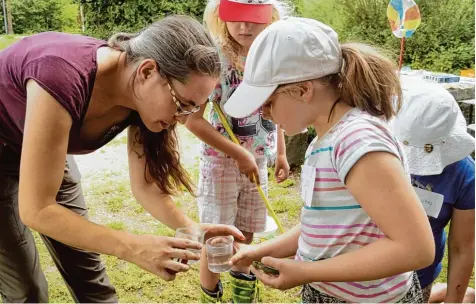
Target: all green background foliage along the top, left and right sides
{"x": 444, "y": 41}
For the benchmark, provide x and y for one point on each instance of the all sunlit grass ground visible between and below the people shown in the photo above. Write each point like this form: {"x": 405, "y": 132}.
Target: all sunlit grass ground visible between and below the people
{"x": 110, "y": 203}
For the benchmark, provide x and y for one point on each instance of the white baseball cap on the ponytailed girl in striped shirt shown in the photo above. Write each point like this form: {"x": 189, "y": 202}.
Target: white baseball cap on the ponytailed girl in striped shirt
{"x": 289, "y": 50}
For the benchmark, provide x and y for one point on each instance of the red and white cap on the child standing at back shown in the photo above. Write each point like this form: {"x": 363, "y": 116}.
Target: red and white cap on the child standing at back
{"x": 255, "y": 11}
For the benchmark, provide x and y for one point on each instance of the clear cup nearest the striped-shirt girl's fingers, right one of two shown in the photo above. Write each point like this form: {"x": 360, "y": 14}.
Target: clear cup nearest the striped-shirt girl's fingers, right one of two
{"x": 219, "y": 253}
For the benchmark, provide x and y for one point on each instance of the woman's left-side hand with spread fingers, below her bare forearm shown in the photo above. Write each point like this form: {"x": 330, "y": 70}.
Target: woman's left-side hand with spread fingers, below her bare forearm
{"x": 161, "y": 255}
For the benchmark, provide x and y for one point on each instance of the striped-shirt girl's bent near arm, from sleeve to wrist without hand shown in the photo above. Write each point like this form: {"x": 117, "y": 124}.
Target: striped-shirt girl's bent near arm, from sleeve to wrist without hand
{"x": 378, "y": 182}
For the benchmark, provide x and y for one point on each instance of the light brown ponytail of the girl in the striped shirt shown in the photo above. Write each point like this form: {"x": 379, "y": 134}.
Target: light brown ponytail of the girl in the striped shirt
{"x": 369, "y": 81}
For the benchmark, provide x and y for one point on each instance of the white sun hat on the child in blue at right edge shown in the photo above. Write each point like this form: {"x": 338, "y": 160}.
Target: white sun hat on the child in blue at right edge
{"x": 431, "y": 127}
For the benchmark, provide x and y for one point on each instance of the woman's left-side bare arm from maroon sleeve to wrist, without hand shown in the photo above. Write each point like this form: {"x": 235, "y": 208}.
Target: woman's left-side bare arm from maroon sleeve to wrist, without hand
{"x": 45, "y": 143}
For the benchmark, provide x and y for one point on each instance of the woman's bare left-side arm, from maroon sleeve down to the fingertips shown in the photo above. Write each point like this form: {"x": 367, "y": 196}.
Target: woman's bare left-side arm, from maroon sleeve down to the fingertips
{"x": 43, "y": 159}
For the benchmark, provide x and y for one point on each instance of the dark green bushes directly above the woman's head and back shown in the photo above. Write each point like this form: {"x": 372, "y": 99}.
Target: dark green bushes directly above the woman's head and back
{"x": 103, "y": 18}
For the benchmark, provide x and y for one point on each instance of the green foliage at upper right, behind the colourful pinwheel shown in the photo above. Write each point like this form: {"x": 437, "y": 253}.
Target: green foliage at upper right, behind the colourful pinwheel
{"x": 444, "y": 41}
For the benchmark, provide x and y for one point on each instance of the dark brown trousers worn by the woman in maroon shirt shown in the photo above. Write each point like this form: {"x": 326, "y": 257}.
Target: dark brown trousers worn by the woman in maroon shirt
{"x": 21, "y": 278}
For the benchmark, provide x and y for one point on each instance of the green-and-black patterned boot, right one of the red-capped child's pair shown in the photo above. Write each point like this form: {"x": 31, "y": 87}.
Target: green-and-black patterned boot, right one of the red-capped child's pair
{"x": 243, "y": 287}
